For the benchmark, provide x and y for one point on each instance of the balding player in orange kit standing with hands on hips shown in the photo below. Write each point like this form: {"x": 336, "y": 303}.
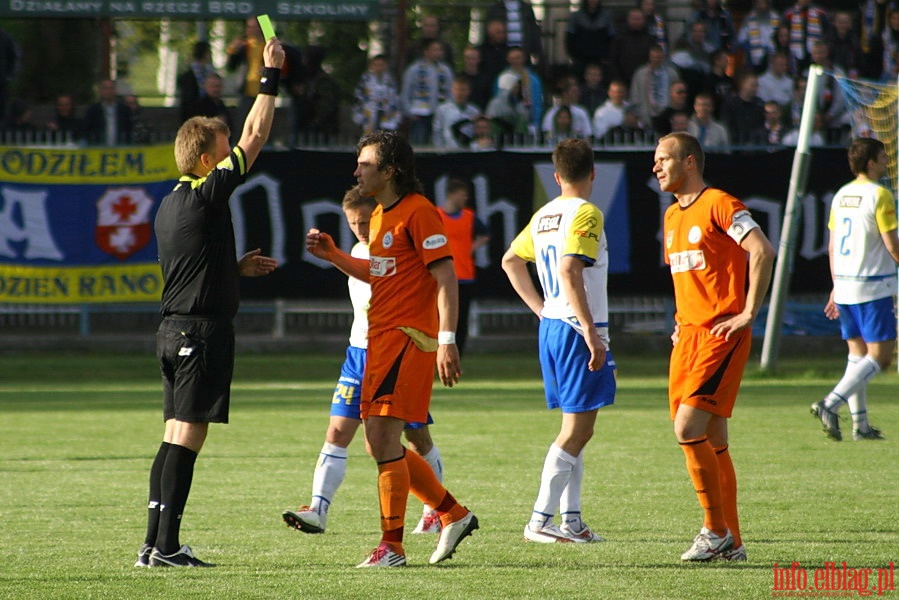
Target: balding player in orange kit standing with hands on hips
{"x": 711, "y": 244}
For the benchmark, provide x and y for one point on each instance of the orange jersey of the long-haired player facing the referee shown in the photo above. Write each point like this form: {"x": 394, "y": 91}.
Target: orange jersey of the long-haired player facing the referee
{"x": 404, "y": 240}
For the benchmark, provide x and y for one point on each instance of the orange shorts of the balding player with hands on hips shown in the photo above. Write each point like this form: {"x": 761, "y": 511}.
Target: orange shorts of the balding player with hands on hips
{"x": 706, "y": 371}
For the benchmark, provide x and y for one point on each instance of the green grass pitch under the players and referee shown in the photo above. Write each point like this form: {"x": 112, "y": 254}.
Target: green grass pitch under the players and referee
{"x": 78, "y": 432}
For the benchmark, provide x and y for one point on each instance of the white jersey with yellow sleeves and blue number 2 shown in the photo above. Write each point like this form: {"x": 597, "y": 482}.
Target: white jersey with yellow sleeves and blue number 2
{"x": 863, "y": 269}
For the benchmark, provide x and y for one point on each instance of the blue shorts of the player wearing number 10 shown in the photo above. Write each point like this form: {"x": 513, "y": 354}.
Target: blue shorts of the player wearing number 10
{"x": 569, "y": 384}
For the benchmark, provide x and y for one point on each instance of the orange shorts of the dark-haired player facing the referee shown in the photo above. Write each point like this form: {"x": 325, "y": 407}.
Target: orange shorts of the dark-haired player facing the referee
{"x": 398, "y": 378}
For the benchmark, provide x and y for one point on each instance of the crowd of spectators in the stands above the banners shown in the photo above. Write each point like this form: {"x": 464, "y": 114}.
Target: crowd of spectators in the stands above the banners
{"x": 732, "y": 81}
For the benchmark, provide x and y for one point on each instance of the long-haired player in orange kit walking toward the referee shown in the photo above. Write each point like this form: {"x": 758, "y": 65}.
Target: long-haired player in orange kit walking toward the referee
{"x": 411, "y": 327}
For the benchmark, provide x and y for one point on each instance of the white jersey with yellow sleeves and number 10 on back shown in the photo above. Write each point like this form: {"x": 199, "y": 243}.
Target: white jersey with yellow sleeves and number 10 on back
{"x": 568, "y": 227}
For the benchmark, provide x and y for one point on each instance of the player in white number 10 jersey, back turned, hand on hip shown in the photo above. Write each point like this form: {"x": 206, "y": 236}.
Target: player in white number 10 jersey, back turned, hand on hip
{"x": 567, "y": 241}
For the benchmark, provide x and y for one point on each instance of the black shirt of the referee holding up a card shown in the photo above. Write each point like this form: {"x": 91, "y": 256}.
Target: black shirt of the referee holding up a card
{"x": 195, "y": 239}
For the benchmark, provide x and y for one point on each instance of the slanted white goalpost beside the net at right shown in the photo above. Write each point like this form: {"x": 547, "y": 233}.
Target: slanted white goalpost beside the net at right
{"x": 785, "y": 254}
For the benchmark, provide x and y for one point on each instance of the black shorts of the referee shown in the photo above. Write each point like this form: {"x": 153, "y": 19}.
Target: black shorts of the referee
{"x": 196, "y": 357}
